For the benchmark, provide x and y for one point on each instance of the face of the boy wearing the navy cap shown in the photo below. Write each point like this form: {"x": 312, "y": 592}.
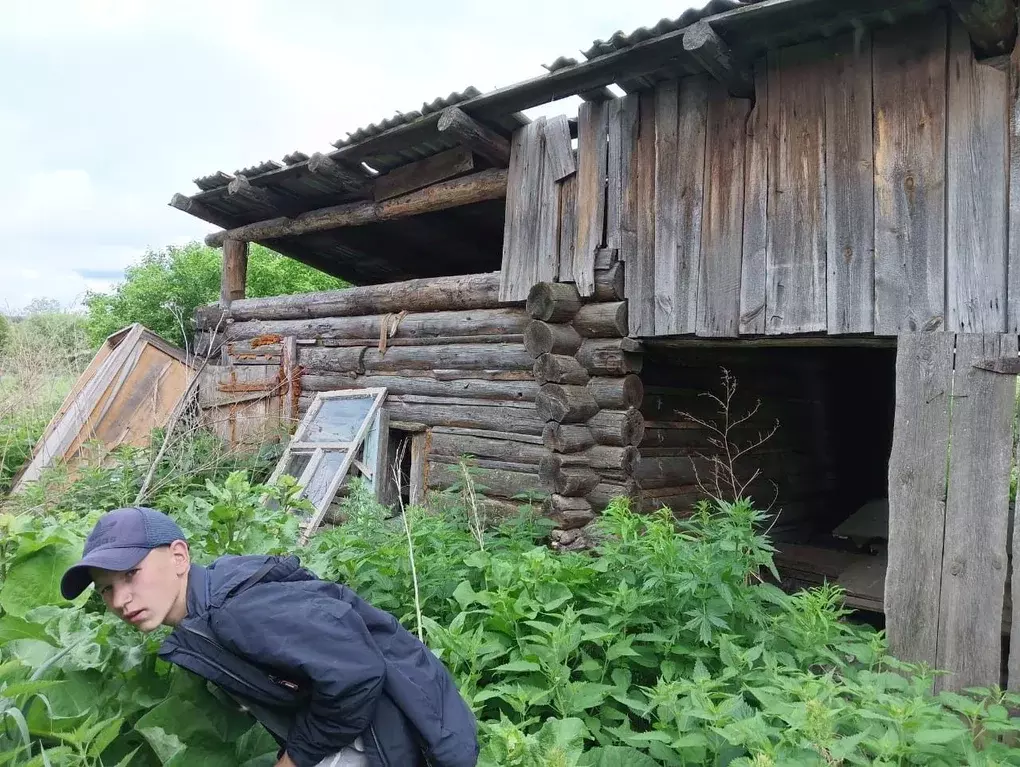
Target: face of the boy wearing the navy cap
{"x": 154, "y": 593}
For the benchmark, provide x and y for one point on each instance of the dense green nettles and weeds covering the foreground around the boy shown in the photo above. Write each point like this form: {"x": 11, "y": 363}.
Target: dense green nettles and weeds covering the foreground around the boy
{"x": 665, "y": 649}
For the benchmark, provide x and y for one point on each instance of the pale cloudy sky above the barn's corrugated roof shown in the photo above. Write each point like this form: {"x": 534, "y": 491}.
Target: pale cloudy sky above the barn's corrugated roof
{"x": 108, "y": 108}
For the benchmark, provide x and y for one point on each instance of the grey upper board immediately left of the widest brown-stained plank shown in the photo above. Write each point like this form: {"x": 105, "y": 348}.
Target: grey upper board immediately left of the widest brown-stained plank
{"x": 850, "y": 189}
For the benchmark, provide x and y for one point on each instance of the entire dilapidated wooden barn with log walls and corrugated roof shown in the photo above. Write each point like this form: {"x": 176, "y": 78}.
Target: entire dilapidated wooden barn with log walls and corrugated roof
{"x": 820, "y": 196}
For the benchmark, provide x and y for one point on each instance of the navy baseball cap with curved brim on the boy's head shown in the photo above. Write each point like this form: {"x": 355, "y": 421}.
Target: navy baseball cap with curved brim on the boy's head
{"x": 120, "y": 541}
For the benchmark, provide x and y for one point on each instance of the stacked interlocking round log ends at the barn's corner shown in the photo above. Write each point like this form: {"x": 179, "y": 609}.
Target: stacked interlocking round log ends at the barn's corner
{"x": 590, "y": 396}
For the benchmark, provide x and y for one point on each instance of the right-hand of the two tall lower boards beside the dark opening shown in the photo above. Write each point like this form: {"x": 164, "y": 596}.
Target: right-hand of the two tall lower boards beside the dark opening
{"x": 977, "y": 516}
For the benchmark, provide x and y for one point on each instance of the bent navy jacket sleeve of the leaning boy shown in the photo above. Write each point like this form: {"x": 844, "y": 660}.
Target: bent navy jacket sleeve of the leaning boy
{"x": 321, "y": 642}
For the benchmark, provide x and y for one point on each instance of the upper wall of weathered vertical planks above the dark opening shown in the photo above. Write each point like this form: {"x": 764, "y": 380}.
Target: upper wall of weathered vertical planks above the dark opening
{"x": 875, "y": 171}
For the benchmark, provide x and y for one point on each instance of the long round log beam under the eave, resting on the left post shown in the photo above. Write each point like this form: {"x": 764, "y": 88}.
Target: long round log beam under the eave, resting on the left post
{"x": 487, "y": 185}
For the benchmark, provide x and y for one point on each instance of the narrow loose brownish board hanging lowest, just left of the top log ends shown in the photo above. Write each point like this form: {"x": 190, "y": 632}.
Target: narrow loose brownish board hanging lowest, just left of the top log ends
{"x": 592, "y": 159}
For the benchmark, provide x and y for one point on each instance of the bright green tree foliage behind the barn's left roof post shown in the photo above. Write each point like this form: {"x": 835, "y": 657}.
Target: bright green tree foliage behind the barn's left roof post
{"x": 166, "y": 288}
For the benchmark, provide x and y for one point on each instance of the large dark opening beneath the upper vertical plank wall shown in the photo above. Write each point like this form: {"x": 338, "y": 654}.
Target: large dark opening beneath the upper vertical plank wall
{"x": 828, "y": 414}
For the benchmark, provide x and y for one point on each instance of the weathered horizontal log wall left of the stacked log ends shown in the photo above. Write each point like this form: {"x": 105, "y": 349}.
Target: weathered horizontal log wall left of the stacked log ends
{"x": 451, "y": 356}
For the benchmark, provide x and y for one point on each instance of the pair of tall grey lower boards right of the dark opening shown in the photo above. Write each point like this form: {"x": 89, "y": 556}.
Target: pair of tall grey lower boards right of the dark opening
{"x": 949, "y": 505}
